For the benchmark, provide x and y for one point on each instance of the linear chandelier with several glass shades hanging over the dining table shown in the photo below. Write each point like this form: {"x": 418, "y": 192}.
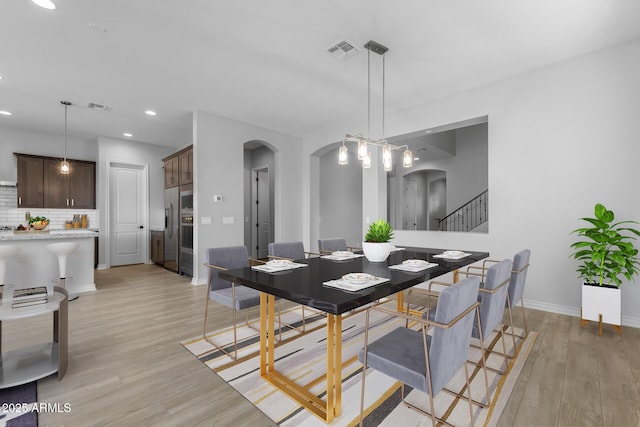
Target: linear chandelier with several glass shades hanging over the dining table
{"x": 362, "y": 142}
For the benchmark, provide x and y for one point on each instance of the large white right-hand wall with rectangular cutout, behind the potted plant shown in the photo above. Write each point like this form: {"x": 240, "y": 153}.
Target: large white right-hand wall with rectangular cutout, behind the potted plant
{"x": 561, "y": 138}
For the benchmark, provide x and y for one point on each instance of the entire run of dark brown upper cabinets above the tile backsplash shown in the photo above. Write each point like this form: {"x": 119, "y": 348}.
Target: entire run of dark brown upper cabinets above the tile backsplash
{"x": 57, "y": 191}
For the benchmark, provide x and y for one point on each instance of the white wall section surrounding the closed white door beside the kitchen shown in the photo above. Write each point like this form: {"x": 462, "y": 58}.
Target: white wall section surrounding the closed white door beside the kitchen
{"x": 116, "y": 150}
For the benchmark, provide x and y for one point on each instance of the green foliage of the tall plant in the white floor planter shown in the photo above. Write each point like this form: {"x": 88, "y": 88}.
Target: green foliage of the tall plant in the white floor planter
{"x": 607, "y": 252}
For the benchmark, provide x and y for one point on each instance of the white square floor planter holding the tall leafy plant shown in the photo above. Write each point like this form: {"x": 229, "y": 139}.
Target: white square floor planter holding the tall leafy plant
{"x": 597, "y": 300}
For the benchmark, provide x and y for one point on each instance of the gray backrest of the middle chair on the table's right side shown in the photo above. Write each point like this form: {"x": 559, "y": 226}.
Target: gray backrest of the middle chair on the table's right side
{"x": 492, "y": 304}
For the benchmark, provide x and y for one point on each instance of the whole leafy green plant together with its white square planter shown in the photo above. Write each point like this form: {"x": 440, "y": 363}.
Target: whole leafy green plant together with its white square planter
{"x": 607, "y": 254}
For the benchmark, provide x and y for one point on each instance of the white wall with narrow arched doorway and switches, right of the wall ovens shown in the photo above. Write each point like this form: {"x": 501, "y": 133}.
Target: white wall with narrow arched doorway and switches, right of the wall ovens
{"x": 219, "y": 169}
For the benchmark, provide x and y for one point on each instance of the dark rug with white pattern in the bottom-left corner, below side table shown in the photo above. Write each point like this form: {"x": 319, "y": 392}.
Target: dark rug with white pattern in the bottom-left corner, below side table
{"x": 16, "y": 406}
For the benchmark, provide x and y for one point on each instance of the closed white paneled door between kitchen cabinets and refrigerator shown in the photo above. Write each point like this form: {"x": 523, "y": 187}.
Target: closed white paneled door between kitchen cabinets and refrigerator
{"x": 126, "y": 215}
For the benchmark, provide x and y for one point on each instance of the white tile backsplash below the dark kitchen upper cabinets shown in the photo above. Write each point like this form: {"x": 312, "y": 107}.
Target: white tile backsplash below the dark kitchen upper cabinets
{"x": 11, "y": 215}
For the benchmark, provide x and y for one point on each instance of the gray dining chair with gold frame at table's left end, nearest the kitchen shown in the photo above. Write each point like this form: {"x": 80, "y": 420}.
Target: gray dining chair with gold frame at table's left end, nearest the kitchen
{"x": 236, "y": 297}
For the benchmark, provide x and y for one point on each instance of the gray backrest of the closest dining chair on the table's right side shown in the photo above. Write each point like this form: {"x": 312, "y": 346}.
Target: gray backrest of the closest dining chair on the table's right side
{"x": 449, "y": 347}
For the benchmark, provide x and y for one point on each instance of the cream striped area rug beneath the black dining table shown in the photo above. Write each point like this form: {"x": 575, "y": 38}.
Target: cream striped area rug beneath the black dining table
{"x": 301, "y": 357}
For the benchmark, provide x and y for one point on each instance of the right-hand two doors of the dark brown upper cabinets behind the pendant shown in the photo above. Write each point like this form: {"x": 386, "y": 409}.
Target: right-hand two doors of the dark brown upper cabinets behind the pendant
{"x": 75, "y": 190}
